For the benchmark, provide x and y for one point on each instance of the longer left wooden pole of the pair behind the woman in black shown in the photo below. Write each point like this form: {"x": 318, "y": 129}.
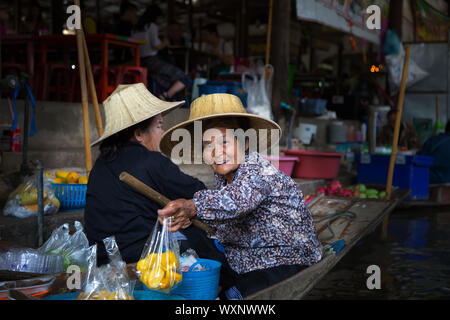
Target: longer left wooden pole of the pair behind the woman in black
{"x": 84, "y": 98}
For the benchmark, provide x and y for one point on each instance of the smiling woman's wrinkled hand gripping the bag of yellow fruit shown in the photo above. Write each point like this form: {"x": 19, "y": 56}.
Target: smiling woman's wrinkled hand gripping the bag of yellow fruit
{"x": 182, "y": 212}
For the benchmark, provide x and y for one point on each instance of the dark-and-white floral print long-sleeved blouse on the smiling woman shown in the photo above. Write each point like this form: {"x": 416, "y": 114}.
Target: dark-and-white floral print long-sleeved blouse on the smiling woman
{"x": 261, "y": 218}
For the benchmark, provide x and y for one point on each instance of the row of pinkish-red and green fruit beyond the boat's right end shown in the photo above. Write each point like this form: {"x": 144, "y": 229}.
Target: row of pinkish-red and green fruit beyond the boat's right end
{"x": 335, "y": 189}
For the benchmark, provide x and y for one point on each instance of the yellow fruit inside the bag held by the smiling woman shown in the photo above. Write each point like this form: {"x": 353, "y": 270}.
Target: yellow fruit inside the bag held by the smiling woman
{"x": 159, "y": 270}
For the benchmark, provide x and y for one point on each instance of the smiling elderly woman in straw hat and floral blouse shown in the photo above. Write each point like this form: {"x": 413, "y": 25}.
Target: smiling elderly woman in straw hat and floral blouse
{"x": 258, "y": 212}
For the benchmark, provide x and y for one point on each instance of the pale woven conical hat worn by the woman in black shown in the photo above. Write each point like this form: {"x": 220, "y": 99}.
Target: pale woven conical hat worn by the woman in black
{"x": 129, "y": 105}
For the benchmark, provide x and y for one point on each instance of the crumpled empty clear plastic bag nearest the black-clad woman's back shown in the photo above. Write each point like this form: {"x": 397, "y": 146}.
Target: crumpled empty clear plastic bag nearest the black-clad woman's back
{"x": 74, "y": 248}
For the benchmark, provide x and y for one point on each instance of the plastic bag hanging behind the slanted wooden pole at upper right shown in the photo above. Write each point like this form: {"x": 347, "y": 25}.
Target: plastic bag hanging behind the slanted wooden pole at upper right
{"x": 395, "y": 64}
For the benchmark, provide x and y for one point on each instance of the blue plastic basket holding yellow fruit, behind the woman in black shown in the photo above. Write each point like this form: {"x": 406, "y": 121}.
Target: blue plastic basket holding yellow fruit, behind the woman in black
{"x": 70, "y": 196}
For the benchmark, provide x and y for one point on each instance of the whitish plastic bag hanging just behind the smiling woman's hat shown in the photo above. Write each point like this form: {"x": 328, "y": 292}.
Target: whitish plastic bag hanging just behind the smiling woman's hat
{"x": 254, "y": 83}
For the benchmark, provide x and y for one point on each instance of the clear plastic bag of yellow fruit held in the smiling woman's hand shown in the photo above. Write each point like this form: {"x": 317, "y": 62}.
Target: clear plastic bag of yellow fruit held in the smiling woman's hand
{"x": 159, "y": 267}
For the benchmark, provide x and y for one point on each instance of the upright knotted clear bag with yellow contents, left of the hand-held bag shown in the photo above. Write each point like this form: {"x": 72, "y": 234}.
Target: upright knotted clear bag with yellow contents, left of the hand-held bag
{"x": 110, "y": 281}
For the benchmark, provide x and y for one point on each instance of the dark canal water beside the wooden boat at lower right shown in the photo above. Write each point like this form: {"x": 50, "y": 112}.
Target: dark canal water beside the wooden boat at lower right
{"x": 414, "y": 261}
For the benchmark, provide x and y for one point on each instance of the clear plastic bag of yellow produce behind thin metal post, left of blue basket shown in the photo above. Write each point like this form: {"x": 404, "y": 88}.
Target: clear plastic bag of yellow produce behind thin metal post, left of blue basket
{"x": 23, "y": 202}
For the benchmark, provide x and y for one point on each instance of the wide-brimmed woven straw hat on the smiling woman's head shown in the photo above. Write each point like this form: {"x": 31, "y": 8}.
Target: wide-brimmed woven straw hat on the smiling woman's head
{"x": 219, "y": 105}
